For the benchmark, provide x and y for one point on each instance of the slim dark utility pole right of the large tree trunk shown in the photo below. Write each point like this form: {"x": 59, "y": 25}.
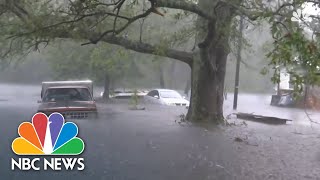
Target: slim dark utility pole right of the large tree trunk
{"x": 236, "y": 85}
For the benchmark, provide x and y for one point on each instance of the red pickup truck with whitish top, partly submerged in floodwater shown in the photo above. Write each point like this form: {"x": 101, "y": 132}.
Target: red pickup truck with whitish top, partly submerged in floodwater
{"x": 73, "y": 99}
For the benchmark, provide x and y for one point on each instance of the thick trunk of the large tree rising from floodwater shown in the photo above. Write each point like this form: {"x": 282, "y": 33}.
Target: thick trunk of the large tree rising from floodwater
{"x": 209, "y": 66}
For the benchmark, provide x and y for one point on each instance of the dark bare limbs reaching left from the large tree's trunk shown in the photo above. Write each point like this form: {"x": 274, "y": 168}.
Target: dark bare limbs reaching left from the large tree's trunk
{"x": 186, "y": 57}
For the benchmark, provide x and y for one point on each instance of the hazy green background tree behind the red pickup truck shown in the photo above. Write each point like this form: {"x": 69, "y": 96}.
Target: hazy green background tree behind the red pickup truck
{"x": 102, "y": 63}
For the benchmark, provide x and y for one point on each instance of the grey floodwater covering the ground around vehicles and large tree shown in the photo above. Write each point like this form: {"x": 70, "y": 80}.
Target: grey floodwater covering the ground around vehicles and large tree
{"x": 133, "y": 145}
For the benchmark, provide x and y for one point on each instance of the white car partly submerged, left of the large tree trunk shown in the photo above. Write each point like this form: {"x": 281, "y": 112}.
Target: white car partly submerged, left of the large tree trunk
{"x": 167, "y": 97}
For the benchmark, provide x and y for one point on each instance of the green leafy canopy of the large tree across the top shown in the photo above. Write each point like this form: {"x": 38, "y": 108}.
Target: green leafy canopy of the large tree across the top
{"x": 30, "y": 24}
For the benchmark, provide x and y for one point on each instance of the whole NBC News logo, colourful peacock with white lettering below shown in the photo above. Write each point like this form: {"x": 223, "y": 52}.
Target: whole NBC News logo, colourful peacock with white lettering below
{"x": 50, "y": 137}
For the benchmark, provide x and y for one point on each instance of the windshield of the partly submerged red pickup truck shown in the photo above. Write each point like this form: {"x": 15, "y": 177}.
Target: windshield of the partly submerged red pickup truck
{"x": 67, "y": 94}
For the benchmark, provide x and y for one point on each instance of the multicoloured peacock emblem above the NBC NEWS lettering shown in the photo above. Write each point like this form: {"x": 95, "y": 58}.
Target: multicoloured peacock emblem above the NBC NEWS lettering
{"x": 48, "y": 136}
